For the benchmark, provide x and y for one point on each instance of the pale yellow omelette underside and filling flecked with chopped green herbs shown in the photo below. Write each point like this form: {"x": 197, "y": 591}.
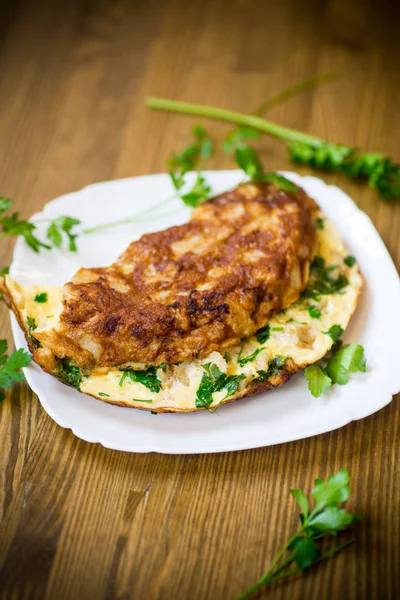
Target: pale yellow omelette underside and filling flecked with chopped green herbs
{"x": 292, "y": 339}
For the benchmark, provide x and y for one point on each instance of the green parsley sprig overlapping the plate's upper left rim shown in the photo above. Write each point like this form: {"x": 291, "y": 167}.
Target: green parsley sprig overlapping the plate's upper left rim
{"x": 11, "y": 224}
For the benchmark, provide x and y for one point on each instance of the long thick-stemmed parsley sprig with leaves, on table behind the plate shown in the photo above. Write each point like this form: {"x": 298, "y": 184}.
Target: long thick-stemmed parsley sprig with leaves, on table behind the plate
{"x": 380, "y": 172}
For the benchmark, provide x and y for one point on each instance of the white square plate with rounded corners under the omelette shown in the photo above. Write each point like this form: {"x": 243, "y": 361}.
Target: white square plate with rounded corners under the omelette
{"x": 282, "y": 415}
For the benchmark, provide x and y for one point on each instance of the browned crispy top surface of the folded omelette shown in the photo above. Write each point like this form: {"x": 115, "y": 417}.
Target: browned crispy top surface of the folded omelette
{"x": 189, "y": 290}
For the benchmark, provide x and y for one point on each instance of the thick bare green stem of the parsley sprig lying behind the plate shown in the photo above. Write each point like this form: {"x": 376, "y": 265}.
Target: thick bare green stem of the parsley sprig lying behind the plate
{"x": 221, "y": 114}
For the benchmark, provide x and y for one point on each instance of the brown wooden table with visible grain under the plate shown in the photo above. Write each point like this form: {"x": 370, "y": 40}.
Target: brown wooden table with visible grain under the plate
{"x": 80, "y": 521}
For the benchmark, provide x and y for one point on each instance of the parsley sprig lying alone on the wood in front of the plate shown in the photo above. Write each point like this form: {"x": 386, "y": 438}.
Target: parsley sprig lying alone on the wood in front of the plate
{"x": 327, "y": 518}
